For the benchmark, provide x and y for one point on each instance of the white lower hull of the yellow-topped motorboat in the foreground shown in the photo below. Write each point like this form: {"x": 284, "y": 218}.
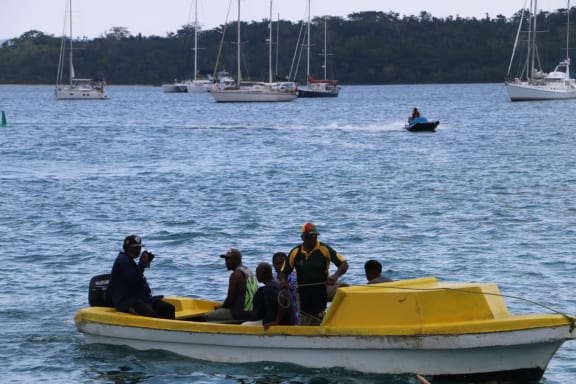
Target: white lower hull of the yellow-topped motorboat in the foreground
{"x": 460, "y": 355}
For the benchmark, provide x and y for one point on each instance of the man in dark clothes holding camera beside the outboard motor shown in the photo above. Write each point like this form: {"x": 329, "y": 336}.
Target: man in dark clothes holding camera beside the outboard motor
{"x": 129, "y": 289}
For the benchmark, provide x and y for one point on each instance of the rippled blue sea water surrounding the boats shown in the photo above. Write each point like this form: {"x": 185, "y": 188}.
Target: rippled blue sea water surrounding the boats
{"x": 489, "y": 197}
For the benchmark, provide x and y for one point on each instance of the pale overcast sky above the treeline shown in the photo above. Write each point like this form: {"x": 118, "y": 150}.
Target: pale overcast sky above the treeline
{"x": 92, "y": 18}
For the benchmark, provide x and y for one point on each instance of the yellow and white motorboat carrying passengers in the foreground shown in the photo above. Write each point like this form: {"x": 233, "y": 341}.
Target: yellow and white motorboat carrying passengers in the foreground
{"x": 436, "y": 329}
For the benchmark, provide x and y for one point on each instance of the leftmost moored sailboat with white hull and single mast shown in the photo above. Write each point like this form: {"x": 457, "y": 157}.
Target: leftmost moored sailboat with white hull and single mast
{"x": 77, "y": 88}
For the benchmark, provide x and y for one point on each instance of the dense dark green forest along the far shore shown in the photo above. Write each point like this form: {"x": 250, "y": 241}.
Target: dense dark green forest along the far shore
{"x": 363, "y": 48}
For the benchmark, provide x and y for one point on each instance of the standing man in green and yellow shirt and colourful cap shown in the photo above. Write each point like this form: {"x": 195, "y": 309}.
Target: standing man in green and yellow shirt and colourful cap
{"x": 312, "y": 259}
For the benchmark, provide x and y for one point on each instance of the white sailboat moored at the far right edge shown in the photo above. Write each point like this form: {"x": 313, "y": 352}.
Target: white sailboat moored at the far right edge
{"x": 533, "y": 83}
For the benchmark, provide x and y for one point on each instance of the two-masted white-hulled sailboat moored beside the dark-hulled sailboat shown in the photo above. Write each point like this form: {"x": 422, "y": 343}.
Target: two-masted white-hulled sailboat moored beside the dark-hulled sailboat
{"x": 259, "y": 91}
